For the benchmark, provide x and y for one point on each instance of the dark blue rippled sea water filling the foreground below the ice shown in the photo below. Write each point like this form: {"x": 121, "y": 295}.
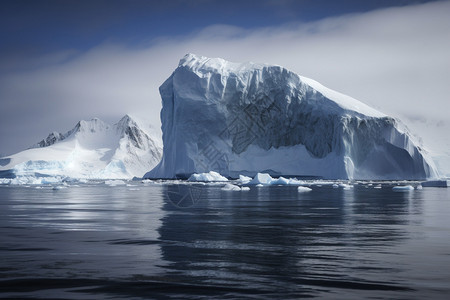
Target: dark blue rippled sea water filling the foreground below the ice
{"x": 100, "y": 242}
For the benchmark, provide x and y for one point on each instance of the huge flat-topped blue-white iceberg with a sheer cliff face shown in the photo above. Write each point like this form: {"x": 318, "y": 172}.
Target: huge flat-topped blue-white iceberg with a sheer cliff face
{"x": 247, "y": 118}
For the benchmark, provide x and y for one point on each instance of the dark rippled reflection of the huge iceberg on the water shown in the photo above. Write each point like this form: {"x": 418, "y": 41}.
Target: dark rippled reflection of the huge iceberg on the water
{"x": 275, "y": 238}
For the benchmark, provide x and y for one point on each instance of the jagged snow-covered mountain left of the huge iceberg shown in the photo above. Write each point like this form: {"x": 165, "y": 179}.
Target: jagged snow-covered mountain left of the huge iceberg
{"x": 92, "y": 149}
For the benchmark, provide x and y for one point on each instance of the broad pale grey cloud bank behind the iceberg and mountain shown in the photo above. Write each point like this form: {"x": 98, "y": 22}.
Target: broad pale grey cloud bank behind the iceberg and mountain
{"x": 394, "y": 59}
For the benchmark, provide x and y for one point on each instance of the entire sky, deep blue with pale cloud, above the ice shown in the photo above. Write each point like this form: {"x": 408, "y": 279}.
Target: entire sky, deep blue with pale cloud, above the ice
{"x": 63, "y": 61}
